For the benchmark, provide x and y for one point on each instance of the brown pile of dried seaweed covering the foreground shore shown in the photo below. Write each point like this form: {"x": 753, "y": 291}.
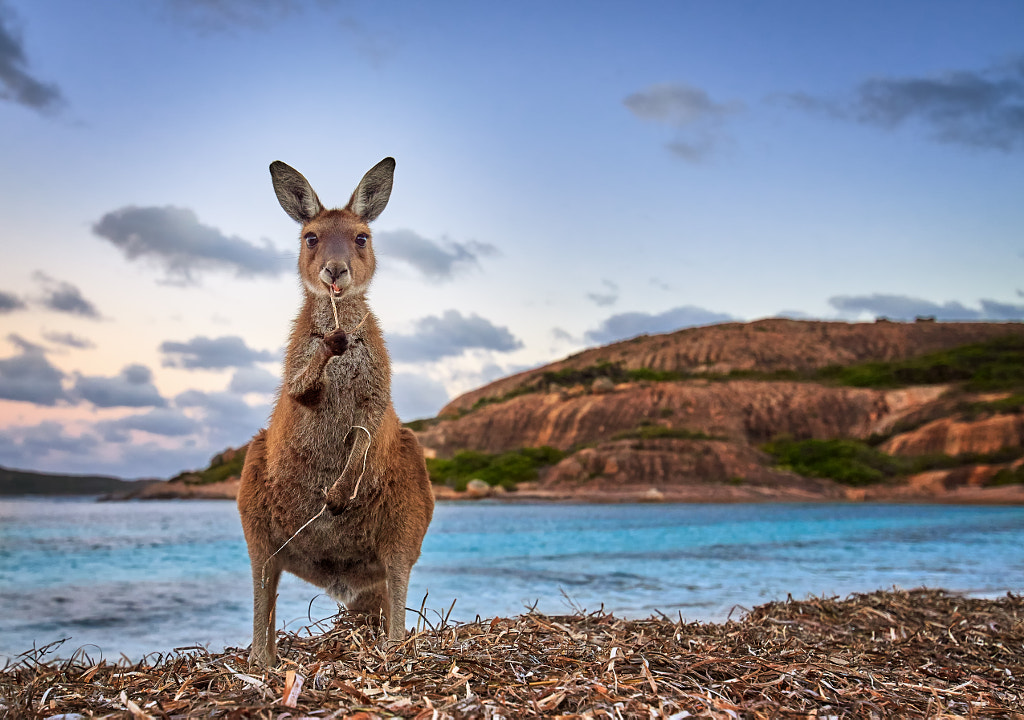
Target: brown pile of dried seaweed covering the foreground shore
{"x": 900, "y": 654}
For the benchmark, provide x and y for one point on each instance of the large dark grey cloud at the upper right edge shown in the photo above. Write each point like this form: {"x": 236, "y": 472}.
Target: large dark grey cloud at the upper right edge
{"x": 984, "y": 109}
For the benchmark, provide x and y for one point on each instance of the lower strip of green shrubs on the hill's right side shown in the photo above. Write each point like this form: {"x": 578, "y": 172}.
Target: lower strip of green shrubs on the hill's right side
{"x": 858, "y": 463}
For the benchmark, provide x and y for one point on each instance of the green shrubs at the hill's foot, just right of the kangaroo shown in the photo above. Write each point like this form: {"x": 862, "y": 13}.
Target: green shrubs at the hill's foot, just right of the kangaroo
{"x": 506, "y": 470}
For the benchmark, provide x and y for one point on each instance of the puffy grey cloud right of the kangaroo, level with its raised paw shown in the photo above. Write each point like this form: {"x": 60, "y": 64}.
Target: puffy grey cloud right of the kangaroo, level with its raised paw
{"x": 450, "y": 335}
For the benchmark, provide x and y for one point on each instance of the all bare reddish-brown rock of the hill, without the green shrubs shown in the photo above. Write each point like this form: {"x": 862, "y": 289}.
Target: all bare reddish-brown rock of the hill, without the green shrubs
{"x": 719, "y": 425}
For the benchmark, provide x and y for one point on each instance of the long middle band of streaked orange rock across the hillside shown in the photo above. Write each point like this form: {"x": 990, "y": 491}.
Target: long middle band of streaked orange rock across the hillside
{"x": 744, "y": 412}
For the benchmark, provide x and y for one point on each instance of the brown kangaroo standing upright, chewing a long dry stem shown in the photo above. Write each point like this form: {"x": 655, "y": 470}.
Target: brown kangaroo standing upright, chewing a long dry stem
{"x": 334, "y": 441}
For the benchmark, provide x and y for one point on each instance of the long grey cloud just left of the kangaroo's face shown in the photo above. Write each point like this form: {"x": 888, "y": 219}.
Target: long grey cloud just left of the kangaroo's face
{"x": 175, "y": 240}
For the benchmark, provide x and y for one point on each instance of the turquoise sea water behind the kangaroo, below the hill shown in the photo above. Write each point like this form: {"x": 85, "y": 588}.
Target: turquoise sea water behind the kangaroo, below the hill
{"x": 136, "y": 578}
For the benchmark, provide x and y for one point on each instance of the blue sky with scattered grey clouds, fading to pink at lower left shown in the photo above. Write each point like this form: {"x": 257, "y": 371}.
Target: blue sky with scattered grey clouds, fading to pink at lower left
{"x": 569, "y": 175}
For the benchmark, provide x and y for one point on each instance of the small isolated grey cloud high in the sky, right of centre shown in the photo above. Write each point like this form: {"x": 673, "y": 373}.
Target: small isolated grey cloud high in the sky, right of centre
{"x": 698, "y": 120}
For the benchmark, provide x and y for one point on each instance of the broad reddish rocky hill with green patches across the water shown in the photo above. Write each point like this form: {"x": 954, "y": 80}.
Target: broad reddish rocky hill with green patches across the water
{"x": 773, "y": 410}
